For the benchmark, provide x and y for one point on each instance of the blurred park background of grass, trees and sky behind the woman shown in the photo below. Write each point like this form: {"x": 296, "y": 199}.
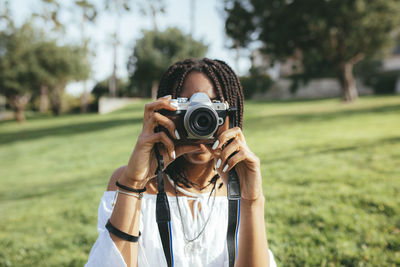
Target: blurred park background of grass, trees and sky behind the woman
{"x": 321, "y": 80}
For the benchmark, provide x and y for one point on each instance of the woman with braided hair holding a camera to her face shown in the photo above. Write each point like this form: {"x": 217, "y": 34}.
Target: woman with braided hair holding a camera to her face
{"x": 192, "y": 140}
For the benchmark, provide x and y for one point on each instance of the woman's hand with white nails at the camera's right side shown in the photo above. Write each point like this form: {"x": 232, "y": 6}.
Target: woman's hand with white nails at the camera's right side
{"x": 246, "y": 163}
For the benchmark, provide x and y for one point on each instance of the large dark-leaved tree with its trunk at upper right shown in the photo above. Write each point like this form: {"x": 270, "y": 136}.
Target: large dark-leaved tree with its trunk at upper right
{"x": 332, "y": 35}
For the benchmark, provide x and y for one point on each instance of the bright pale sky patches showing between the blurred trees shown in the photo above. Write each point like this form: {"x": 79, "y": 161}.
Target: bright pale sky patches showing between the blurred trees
{"x": 209, "y": 27}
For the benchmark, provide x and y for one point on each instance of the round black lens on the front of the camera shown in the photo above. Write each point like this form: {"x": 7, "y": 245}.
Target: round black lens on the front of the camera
{"x": 202, "y": 122}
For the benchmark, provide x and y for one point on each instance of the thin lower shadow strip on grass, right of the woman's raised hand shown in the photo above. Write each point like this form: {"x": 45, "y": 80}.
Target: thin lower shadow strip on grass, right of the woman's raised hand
{"x": 390, "y": 140}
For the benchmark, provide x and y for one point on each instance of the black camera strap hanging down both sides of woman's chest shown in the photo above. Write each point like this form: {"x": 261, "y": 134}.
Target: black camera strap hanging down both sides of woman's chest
{"x": 163, "y": 215}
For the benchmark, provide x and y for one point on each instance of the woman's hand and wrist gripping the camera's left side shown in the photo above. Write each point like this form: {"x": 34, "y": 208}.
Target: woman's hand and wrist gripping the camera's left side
{"x": 143, "y": 162}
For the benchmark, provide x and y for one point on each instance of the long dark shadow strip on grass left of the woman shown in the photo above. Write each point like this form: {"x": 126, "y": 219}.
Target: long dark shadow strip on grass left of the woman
{"x": 65, "y": 130}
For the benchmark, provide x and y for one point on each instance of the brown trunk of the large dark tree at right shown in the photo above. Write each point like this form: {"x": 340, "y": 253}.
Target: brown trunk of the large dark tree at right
{"x": 347, "y": 82}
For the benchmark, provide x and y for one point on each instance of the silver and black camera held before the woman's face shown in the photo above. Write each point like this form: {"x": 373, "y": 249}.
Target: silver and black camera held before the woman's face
{"x": 198, "y": 119}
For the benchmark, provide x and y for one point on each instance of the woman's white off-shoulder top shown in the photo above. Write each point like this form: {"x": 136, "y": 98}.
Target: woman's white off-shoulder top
{"x": 209, "y": 249}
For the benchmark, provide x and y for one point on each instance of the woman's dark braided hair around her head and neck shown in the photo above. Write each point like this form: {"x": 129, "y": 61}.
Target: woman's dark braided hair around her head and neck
{"x": 227, "y": 86}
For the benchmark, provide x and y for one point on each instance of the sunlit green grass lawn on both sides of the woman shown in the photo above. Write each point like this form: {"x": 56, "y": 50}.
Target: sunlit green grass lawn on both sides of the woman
{"x": 331, "y": 177}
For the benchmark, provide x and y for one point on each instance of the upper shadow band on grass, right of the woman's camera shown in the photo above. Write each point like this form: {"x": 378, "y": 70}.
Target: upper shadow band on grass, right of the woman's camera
{"x": 273, "y": 121}
